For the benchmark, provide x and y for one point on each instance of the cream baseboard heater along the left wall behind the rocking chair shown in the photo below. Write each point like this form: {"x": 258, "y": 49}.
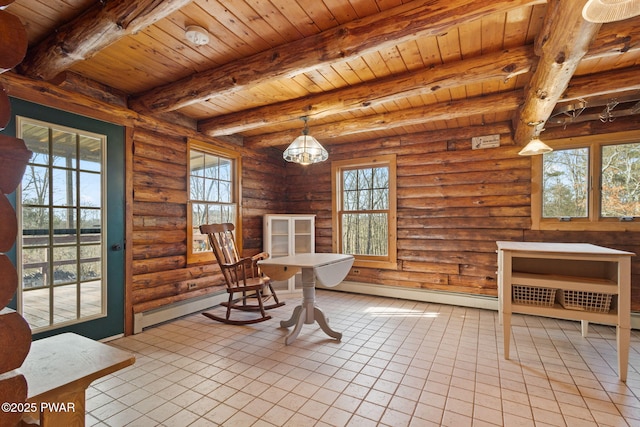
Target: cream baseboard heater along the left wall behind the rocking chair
{"x": 175, "y": 310}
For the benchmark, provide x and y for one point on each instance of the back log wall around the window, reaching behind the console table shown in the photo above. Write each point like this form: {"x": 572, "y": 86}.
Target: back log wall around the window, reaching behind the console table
{"x": 454, "y": 203}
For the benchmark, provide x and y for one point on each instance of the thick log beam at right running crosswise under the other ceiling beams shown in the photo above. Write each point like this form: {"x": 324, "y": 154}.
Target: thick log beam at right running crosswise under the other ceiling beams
{"x": 561, "y": 45}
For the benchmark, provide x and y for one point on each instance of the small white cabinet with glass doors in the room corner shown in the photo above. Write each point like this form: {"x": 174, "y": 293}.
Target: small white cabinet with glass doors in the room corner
{"x": 286, "y": 235}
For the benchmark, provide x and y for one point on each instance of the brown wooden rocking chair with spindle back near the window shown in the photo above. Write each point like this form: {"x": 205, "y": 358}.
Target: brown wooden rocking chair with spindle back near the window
{"x": 242, "y": 276}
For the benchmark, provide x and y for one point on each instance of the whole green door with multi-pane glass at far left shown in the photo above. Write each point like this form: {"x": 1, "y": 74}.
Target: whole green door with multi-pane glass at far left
{"x": 70, "y": 207}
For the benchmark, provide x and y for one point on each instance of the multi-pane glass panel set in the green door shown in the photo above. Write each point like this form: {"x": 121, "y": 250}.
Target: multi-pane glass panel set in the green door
{"x": 61, "y": 205}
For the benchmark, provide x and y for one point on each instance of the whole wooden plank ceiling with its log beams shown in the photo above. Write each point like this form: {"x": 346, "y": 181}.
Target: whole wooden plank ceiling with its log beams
{"x": 359, "y": 69}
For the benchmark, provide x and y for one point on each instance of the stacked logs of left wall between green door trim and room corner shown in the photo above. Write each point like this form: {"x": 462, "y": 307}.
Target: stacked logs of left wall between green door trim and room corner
{"x": 160, "y": 272}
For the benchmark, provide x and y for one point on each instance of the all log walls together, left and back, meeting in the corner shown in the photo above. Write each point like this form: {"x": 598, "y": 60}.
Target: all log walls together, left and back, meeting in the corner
{"x": 453, "y": 203}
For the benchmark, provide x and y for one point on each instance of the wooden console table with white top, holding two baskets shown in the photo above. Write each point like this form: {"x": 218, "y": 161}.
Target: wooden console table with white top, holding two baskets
{"x": 568, "y": 267}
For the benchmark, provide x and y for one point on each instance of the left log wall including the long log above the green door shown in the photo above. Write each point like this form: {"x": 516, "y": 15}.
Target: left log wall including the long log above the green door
{"x": 156, "y": 271}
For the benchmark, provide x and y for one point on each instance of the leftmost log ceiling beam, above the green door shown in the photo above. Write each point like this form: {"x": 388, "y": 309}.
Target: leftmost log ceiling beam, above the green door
{"x": 98, "y": 27}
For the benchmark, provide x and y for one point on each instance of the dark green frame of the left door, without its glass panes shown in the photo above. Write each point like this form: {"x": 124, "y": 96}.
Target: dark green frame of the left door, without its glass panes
{"x": 113, "y": 323}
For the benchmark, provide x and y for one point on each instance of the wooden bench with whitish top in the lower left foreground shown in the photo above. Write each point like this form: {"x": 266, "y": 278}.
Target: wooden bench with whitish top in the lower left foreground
{"x": 59, "y": 369}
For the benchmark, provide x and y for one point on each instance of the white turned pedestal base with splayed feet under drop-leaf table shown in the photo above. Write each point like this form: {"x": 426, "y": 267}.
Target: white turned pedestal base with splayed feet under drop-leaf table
{"x": 307, "y": 312}
